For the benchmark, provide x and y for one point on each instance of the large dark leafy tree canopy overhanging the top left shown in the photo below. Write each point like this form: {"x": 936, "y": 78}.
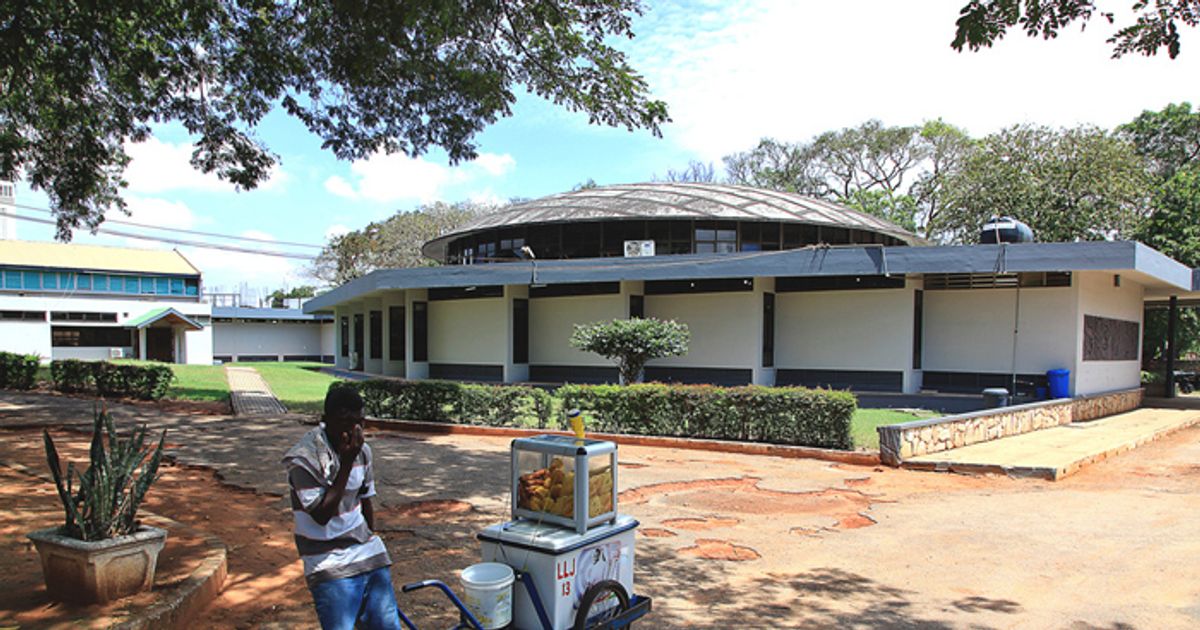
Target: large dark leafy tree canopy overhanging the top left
{"x": 80, "y": 81}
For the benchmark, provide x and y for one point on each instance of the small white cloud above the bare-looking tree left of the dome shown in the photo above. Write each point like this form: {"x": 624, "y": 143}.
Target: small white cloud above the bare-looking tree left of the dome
{"x": 397, "y": 178}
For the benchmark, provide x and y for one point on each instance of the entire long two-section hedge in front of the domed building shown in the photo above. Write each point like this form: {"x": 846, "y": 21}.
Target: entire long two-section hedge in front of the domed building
{"x": 777, "y": 416}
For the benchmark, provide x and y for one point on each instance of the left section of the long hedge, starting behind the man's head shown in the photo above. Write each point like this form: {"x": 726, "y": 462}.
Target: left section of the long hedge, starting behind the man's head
{"x": 447, "y": 401}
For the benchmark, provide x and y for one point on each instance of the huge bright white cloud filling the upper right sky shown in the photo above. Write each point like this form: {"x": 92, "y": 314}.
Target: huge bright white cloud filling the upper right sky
{"x": 734, "y": 73}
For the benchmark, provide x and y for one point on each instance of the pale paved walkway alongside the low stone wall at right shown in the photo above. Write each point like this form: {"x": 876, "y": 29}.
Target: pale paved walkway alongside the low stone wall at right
{"x": 1057, "y": 453}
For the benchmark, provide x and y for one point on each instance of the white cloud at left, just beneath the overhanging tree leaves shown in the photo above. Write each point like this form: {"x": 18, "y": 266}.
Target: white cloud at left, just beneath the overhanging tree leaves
{"x": 159, "y": 166}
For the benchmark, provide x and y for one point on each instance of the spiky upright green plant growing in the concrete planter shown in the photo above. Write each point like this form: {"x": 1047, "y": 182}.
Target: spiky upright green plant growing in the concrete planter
{"x": 106, "y": 502}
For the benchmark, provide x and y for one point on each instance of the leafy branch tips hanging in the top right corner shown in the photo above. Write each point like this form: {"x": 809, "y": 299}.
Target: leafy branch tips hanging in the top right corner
{"x": 1157, "y": 26}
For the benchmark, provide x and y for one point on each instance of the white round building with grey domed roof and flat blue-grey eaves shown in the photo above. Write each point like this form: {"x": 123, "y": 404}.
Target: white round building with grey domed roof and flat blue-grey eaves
{"x": 777, "y": 289}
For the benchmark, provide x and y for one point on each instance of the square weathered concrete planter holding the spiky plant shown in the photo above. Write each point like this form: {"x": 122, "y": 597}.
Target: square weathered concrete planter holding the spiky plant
{"x": 98, "y": 572}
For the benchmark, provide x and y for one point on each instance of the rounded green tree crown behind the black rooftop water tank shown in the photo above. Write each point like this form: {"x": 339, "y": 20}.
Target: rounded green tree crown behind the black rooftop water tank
{"x": 1070, "y": 184}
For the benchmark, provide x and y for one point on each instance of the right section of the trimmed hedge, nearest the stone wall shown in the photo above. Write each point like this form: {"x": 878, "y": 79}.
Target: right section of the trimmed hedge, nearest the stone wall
{"x": 779, "y": 416}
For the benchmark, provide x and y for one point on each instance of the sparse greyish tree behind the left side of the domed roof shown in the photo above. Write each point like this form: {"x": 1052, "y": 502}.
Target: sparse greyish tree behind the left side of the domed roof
{"x": 393, "y": 243}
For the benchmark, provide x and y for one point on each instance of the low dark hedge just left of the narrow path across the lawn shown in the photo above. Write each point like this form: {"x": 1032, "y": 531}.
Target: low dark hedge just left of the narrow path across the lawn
{"x": 121, "y": 381}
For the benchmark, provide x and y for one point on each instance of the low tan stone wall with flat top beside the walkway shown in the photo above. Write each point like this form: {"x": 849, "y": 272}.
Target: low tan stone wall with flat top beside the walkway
{"x": 922, "y": 437}
